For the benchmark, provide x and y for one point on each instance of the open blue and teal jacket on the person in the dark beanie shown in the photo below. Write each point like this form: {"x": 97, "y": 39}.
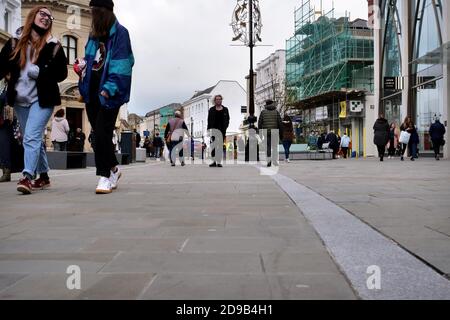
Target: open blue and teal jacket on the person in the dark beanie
{"x": 116, "y": 78}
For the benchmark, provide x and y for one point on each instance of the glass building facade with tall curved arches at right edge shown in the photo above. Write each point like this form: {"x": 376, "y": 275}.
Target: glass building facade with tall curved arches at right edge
{"x": 414, "y": 50}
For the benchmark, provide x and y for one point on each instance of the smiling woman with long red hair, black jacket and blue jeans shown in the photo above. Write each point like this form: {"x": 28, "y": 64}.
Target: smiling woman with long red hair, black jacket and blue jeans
{"x": 35, "y": 62}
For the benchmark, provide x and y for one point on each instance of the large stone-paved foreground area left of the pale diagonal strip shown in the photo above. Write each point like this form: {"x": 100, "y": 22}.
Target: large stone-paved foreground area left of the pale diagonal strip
{"x": 167, "y": 233}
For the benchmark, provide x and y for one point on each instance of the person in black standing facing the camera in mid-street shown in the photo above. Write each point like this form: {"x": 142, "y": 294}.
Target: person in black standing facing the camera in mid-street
{"x": 218, "y": 119}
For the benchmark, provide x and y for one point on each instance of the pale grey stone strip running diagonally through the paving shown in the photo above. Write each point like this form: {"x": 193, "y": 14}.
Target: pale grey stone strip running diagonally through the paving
{"x": 355, "y": 246}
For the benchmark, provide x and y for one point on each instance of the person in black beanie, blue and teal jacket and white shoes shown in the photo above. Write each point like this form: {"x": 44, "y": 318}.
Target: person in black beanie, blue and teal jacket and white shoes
{"x": 105, "y": 85}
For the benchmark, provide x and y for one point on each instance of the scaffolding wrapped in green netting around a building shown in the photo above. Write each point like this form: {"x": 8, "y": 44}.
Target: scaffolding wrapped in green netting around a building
{"x": 328, "y": 54}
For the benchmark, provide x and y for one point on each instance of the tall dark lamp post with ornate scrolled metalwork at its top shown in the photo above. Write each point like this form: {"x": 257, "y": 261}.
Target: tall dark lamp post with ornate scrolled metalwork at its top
{"x": 246, "y": 24}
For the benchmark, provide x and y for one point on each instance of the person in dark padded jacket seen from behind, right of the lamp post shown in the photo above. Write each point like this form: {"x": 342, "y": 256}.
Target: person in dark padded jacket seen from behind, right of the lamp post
{"x": 270, "y": 119}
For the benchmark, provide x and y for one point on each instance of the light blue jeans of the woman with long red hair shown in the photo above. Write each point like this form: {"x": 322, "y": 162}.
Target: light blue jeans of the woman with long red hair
{"x": 32, "y": 122}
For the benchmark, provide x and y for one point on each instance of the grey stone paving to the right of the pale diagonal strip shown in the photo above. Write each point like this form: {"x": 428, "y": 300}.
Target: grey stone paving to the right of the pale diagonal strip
{"x": 409, "y": 202}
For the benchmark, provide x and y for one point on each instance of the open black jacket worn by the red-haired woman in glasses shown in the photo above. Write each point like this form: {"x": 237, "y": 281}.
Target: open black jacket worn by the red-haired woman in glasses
{"x": 52, "y": 70}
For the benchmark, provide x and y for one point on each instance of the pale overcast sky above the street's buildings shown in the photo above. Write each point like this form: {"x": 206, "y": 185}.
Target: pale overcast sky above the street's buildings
{"x": 182, "y": 46}
